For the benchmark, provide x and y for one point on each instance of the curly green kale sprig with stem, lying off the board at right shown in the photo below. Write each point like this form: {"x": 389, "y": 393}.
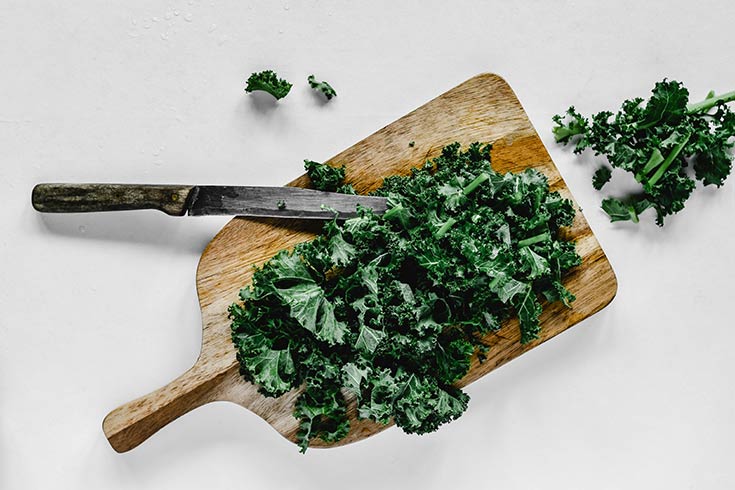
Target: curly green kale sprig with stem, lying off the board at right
{"x": 656, "y": 142}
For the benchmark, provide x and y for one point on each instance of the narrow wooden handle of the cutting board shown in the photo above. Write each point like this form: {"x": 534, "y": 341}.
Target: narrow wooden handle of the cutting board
{"x": 129, "y": 425}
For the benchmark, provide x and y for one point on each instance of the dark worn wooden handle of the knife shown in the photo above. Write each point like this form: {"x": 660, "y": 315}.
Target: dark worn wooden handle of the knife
{"x": 86, "y": 198}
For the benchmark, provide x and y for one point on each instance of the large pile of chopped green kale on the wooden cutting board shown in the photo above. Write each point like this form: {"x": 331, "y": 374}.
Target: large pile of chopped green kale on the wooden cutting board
{"x": 392, "y": 308}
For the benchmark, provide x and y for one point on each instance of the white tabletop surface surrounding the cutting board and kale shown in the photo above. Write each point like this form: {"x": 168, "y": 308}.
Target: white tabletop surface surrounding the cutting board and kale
{"x": 96, "y": 310}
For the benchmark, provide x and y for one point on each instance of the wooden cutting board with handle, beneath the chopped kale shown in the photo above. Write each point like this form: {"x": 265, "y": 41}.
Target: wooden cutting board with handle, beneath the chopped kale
{"x": 483, "y": 109}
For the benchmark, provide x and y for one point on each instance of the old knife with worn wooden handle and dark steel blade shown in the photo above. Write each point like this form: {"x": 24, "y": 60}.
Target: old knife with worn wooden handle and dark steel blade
{"x": 202, "y": 200}
